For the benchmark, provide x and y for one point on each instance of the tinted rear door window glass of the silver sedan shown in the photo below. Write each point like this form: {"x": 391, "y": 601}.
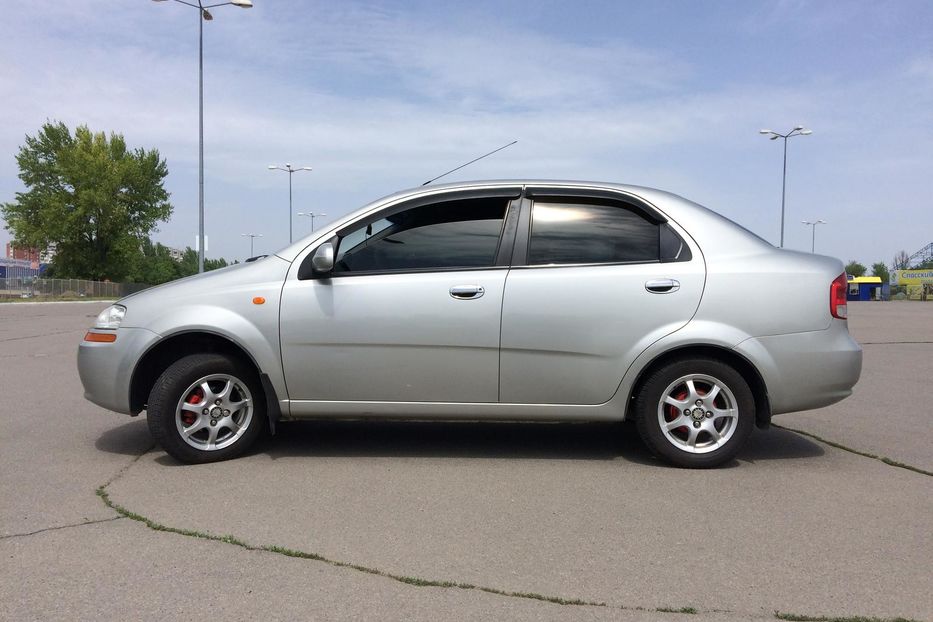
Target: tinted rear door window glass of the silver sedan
{"x": 569, "y": 233}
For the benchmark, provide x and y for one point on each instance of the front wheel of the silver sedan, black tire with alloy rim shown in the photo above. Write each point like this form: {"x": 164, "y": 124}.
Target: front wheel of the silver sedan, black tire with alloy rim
{"x": 173, "y": 406}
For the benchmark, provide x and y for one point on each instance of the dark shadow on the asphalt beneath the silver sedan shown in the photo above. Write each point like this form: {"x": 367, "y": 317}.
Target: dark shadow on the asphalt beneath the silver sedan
{"x": 475, "y": 440}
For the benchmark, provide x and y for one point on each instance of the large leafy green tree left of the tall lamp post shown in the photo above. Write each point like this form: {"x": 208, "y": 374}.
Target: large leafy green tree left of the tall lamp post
{"x": 96, "y": 200}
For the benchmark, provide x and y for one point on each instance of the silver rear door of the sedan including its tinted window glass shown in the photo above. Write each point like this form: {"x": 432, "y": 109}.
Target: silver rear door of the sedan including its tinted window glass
{"x": 596, "y": 278}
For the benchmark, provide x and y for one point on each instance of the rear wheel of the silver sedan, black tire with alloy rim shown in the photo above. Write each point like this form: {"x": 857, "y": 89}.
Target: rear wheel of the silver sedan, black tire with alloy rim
{"x": 719, "y": 429}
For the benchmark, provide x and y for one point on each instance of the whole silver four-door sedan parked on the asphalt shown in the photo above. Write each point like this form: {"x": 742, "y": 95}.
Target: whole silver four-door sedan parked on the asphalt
{"x": 505, "y": 300}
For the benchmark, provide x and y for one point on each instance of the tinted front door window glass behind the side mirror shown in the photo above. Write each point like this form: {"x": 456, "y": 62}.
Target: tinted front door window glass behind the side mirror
{"x": 452, "y": 234}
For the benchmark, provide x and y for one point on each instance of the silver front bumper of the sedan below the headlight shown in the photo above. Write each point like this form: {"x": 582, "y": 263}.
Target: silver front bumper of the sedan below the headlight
{"x": 106, "y": 369}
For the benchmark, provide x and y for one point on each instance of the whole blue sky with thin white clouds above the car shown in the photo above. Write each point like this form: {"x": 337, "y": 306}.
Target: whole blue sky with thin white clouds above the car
{"x": 378, "y": 97}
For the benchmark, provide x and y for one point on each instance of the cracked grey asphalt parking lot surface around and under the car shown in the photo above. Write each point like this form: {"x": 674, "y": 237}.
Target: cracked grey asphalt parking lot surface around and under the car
{"x": 392, "y": 520}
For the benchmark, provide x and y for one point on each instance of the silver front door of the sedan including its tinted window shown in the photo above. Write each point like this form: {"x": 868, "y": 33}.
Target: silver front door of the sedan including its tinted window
{"x": 410, "y": 312}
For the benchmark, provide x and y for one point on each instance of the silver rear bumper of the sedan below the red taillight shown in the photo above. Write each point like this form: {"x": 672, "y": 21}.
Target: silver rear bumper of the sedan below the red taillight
{"x": 807, "y": 370}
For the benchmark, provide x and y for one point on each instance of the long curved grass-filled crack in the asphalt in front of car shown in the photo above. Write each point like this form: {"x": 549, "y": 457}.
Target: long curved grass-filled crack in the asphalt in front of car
{"x": 415, "y": 581}
